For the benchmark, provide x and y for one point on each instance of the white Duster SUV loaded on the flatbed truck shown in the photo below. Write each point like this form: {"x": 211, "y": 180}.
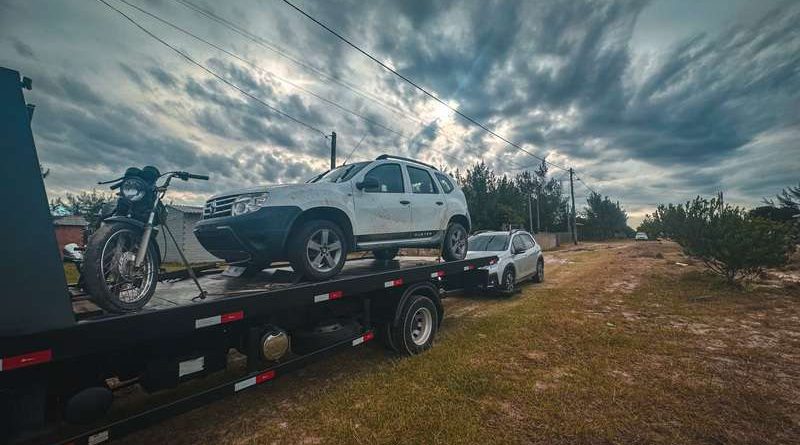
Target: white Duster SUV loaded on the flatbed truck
{"x": 378, "y": 205}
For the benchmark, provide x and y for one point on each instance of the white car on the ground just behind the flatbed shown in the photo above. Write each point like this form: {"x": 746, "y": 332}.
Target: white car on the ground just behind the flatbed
{"x": 519, "y": 257}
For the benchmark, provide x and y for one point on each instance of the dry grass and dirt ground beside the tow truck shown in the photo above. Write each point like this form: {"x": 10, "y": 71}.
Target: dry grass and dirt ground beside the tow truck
{"x": 619, "y": 345}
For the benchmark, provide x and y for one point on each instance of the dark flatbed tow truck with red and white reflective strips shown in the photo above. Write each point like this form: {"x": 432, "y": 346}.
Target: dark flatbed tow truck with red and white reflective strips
{"x": 61, "y": 364}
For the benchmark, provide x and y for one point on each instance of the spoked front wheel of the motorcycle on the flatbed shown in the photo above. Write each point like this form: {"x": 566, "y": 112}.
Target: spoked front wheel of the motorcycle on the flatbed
{"x": 112, "y": 280}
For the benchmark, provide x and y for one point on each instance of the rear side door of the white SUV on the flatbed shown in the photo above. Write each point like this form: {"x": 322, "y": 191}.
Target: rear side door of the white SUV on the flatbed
{"x": 428, "y": 205}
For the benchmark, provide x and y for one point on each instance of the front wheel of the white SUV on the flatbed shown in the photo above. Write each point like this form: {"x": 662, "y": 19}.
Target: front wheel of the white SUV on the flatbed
{"x": 318, "y": 250}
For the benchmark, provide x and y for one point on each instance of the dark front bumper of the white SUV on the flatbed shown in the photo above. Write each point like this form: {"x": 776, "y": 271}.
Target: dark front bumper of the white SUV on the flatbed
{"x": 258, "y": 236}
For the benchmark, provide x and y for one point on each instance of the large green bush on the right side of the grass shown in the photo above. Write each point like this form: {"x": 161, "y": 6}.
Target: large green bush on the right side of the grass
{"x": 728, "y": 240}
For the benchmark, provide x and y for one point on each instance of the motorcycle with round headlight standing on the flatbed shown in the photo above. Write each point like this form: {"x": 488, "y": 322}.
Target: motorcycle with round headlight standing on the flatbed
{"x": 122, "y": 260}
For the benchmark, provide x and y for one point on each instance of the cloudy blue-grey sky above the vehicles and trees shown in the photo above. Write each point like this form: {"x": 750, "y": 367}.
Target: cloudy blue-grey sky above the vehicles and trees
{"x": 651, "y": 101}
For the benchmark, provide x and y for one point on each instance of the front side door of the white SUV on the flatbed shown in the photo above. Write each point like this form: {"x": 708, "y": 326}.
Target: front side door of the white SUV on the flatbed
{"x": 382, "y": 213}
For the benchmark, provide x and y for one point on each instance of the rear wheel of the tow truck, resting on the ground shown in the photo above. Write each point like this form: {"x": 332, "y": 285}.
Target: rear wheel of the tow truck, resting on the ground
{"x": 416, "y": 327}
